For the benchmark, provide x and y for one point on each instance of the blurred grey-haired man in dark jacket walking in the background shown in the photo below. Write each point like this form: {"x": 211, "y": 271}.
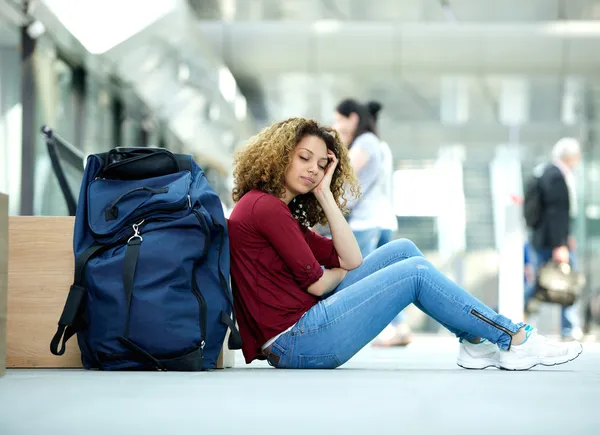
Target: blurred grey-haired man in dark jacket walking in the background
{"x": 552, "y": 236}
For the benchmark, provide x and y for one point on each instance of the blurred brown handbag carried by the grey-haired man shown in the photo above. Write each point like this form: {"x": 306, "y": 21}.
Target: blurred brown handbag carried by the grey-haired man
{"x": 558, "y": 283}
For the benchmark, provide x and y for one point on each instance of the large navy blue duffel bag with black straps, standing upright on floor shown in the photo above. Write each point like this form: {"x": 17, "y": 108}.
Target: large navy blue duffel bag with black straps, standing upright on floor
{"x": 151, "y": 288}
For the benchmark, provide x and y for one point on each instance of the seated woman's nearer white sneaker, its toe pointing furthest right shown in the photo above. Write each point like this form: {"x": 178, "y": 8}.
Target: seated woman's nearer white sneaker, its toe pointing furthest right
{"x": 538, "y": 350}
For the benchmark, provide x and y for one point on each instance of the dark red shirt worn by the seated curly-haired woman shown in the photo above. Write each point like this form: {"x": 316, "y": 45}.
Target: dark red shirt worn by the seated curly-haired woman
{"x": 274, "y": 260}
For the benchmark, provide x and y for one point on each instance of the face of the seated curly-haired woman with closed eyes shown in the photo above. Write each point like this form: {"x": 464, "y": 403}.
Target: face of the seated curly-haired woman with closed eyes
{"x": 307, "y": 167}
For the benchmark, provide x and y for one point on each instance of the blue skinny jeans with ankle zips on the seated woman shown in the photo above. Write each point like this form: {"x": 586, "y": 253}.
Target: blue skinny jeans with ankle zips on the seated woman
{"x": 370, "y": 296}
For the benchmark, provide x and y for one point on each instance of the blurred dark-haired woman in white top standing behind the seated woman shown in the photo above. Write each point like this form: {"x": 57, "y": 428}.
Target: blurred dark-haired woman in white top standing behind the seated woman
{"x": 357, "y": 127}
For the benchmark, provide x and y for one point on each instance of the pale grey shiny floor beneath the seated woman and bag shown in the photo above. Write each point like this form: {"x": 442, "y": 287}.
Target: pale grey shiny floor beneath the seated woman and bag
{"x": 416, "y": 390}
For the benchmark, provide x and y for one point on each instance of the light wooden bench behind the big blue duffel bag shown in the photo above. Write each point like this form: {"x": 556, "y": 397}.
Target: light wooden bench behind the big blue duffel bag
{"x": 40, "y": 273}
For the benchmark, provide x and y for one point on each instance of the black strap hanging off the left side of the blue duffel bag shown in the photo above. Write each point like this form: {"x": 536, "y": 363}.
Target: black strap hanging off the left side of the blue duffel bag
{"x": 71, "y": 320}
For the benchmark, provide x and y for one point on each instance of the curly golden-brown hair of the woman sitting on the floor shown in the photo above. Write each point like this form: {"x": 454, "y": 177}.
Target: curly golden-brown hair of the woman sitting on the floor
{"x": 262, "y": 164}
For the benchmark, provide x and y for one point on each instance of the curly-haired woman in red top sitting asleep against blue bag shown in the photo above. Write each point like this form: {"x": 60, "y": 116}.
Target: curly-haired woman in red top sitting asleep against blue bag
{"x": 305, "y": 301}
